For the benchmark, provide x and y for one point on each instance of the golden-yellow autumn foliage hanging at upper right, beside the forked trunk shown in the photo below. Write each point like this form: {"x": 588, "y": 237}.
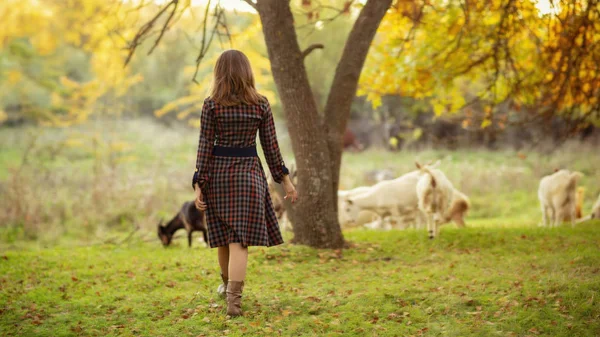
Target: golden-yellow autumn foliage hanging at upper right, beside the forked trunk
{"x": 480, "y": 57}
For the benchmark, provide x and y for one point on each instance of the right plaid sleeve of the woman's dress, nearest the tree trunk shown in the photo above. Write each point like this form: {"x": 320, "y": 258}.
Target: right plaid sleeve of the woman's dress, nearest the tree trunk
{"x": 268, "y": 141}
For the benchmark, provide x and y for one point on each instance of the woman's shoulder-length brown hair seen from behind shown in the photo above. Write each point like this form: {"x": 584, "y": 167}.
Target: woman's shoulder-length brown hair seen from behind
{"x": 233, "y": 82}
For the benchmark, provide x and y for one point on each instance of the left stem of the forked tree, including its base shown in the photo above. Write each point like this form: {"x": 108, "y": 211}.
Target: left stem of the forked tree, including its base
{"x": 314, "y": 216}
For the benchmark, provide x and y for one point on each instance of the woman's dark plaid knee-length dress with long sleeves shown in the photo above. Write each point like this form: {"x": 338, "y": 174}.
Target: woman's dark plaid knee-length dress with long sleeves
{"x": 239, "y": 207}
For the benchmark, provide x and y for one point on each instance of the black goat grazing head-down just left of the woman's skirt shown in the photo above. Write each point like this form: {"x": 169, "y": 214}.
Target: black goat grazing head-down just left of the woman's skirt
{"x": 190, "y": 218}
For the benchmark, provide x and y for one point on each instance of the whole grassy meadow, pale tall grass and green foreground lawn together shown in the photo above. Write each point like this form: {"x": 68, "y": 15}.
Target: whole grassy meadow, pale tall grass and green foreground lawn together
{"x": 80, "y": 256}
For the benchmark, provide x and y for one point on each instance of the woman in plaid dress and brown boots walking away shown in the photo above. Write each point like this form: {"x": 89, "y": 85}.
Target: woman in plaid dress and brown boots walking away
{"x": 229, "y": 181}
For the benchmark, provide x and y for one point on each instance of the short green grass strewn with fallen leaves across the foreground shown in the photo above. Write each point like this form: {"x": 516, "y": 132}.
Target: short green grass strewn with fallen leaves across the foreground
{"x": 471, "y": 282}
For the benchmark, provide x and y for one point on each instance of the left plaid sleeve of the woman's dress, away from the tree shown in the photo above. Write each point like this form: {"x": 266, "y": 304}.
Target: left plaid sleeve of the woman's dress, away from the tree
{"x": 205, "y": 145}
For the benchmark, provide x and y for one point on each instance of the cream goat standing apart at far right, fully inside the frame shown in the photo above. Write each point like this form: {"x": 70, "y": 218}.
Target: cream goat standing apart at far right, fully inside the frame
{"x": 557, "y": 194}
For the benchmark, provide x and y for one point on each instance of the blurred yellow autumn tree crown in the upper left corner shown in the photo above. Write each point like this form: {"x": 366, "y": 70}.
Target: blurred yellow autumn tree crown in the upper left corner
{"x": 62, "y": 60}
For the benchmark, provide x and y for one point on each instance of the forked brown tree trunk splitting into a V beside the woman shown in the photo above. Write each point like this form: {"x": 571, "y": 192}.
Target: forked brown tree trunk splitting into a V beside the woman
{"x": 316, "y": 141}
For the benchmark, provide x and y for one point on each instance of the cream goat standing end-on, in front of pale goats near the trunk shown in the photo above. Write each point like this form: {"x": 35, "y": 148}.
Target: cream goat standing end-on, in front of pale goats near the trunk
{"x": 435, "y": 193}
